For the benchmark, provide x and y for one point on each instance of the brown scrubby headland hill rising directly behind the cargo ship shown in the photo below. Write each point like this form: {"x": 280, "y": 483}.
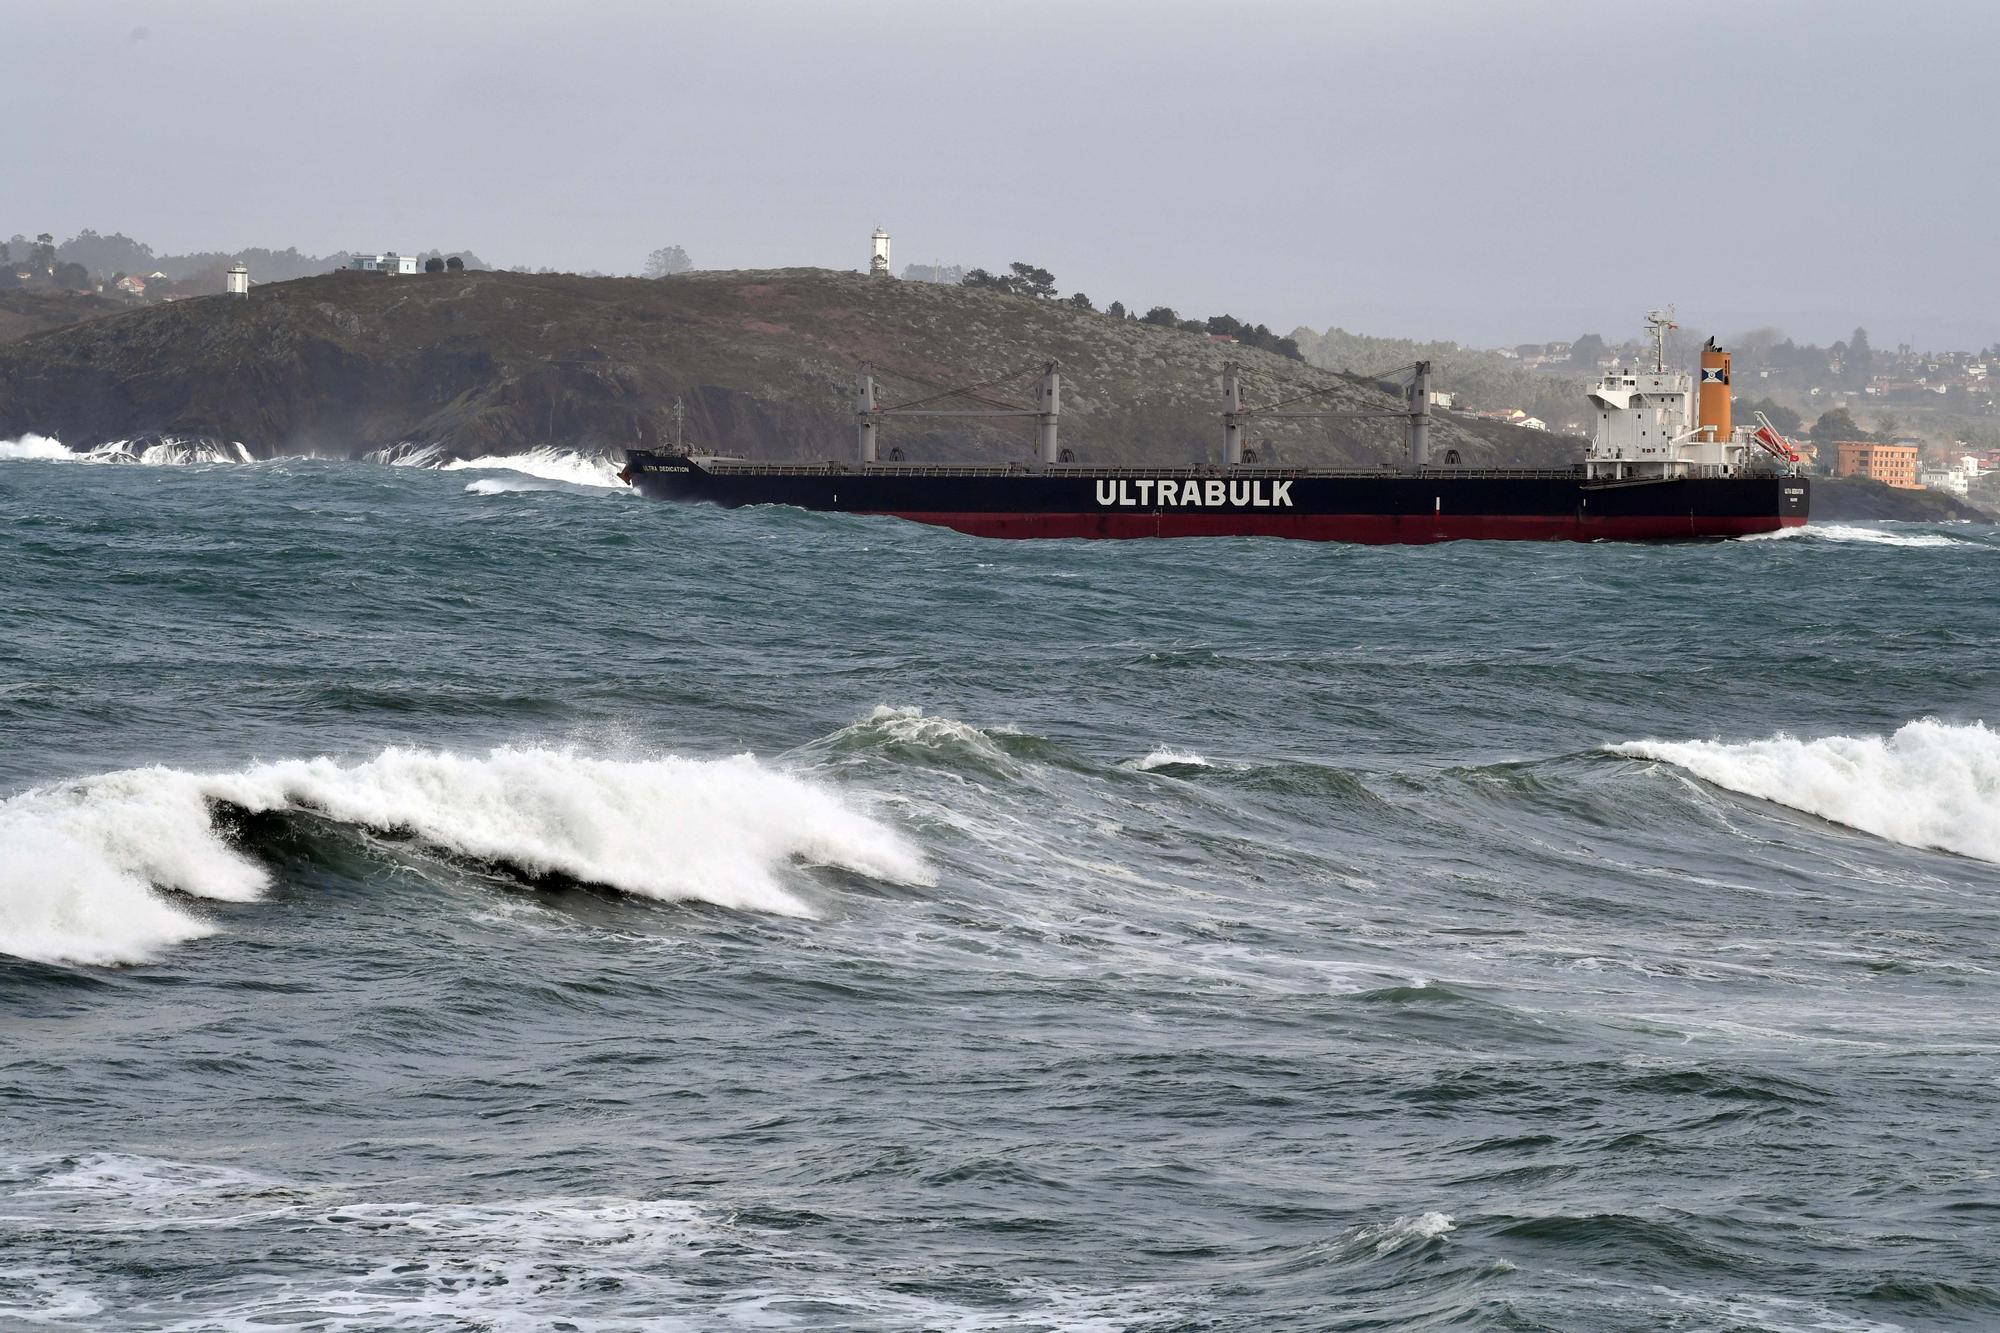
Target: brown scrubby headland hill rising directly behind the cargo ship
{"x": 765, "y": 361}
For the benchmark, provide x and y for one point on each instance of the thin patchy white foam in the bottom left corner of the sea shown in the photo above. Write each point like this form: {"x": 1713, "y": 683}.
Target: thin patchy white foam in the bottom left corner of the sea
{"x": 585, "y": 1262}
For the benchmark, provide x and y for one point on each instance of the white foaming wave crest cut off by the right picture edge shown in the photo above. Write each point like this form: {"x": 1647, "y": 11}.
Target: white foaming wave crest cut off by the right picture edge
{"x": 1929, "y": 786}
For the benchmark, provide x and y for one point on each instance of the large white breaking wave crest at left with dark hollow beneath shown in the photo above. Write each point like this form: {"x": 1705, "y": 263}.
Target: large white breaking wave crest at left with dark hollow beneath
{"x": 81, "y": 862}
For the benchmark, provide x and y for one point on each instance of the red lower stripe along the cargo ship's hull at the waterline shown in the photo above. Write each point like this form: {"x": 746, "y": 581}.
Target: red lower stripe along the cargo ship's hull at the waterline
{"x": 1369, "y": 529}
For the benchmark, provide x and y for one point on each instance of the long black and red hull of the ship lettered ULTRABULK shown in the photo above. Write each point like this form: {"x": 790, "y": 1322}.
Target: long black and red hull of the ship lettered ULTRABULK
{"x": 1343, "y": 507}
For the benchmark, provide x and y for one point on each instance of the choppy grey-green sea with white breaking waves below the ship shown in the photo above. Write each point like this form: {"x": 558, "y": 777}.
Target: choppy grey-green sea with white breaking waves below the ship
{"x": 479, "y": 900}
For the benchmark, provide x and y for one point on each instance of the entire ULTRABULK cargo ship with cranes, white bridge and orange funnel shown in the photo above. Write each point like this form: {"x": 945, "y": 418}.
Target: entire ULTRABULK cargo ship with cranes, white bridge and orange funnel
{"x": 1665, "y": 463}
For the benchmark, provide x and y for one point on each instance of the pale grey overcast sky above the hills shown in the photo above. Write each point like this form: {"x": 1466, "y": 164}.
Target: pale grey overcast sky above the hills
{"x": 1475, "y": 171}
